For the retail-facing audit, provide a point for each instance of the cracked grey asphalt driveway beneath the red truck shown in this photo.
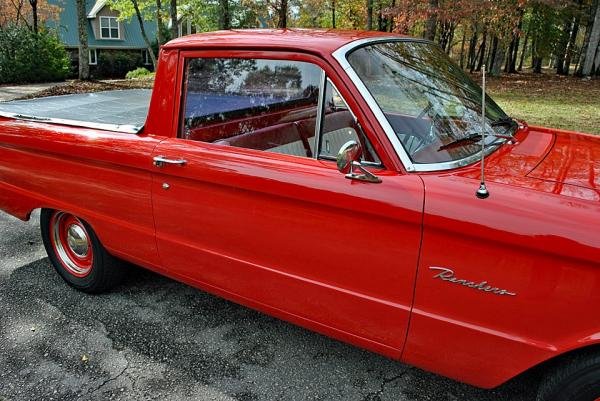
(155, 339)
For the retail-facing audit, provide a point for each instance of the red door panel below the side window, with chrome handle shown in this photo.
(292, 234)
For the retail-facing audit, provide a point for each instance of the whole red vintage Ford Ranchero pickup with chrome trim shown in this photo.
(233, 185)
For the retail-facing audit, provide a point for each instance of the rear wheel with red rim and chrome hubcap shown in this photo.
(77, 254)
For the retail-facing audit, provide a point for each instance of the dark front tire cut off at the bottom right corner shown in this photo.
(576, 379)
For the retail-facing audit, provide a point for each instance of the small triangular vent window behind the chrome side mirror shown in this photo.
(339, 125)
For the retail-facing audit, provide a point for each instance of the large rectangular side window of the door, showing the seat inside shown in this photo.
(261, 104)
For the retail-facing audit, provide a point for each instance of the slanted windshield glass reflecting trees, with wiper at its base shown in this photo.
(432, 105)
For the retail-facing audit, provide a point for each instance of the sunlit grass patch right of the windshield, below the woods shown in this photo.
(549, 100)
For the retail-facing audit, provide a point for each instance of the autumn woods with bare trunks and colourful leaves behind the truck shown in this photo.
(506, 36)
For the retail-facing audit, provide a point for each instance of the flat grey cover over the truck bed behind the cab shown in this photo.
(119, 110)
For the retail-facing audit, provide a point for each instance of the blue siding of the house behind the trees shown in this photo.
(66, 27)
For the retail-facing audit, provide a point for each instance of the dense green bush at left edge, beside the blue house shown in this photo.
(27, 57)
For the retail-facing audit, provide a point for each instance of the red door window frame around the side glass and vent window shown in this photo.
(327, 72)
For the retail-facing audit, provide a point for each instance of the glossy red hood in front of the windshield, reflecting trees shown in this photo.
(549, 160)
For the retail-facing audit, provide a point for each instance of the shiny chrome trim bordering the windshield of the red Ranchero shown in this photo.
(341, 54)
